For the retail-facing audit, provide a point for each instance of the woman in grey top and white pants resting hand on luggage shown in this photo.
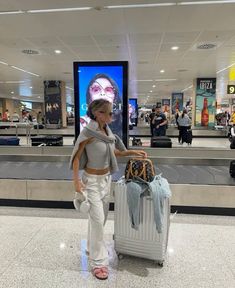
(95, 151)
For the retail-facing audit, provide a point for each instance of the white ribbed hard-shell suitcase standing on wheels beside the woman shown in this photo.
(145, 242)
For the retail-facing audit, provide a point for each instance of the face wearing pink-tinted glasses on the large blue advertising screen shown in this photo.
(102, 88)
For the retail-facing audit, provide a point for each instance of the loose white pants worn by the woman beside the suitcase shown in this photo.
(97, 190)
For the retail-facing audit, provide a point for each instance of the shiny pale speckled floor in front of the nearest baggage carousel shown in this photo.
(46, 248)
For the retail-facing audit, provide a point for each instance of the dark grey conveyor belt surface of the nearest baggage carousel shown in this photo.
(176, 174)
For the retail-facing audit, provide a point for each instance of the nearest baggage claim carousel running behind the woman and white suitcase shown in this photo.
(40, 177)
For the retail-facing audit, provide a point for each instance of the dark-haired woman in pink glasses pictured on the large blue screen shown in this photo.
(102, 86)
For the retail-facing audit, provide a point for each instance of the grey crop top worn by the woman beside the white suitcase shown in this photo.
(97, 154)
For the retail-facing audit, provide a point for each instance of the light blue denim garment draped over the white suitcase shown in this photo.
(158, 190)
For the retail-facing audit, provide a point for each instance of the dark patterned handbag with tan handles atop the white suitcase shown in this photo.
(142, 168)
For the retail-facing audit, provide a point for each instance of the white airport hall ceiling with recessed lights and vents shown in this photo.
(143, 36)
